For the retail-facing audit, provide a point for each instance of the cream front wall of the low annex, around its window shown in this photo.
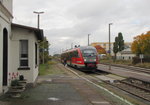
(19, 34)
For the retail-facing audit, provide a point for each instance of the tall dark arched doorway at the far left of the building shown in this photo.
(5, 56)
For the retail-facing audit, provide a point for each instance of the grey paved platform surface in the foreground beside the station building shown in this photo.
(58, 90)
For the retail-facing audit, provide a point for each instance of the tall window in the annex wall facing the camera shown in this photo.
(23, 53)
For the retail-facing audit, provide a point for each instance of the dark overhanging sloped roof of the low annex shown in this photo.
(38, 32)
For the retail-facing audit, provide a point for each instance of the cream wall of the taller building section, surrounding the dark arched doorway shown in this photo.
(5, 22)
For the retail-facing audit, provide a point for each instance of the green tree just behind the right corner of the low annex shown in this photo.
(44, 50)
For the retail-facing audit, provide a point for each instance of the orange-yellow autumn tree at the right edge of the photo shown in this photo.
(141, 44)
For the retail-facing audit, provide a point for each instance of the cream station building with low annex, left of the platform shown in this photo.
(18, 48)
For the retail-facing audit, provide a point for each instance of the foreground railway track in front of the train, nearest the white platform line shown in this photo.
(135, 87)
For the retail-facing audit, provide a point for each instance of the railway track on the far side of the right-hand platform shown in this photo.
(138, 69)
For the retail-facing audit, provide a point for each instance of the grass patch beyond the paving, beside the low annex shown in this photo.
(50, 68)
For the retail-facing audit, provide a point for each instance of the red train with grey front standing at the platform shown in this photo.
(81, 57)
